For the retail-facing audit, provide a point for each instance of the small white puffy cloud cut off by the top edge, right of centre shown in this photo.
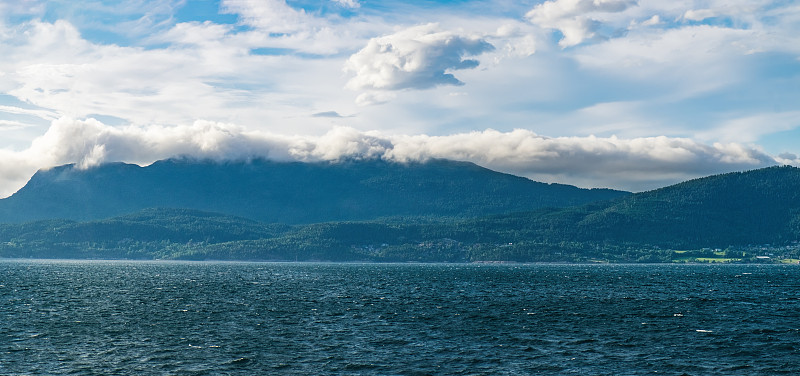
(575, 19)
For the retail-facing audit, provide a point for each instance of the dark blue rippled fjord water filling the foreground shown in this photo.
(169, 318)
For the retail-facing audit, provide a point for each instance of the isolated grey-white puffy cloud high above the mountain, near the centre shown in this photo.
(419, 57)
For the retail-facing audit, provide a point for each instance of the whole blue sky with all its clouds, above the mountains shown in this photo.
(626, 94)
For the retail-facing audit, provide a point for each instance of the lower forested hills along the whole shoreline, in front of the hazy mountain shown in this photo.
(736, 213)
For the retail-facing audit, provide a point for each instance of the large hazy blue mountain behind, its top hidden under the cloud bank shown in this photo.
(286, 192)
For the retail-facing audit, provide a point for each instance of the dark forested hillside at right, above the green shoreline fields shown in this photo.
(753, 207)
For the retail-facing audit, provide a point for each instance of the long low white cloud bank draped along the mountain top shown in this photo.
(631, 164)
